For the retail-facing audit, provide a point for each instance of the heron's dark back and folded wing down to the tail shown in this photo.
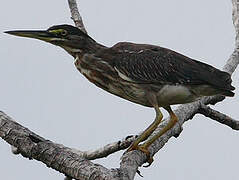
(144, 63)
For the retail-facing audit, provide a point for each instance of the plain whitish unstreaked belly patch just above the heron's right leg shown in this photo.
(175, 94)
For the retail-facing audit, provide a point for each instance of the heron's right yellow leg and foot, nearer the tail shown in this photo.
(144, 146)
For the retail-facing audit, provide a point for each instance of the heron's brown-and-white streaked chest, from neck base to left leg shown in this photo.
(106, 77)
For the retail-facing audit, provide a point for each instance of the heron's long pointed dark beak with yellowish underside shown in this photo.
(41, 35)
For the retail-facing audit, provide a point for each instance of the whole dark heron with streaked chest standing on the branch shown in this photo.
(149, 75)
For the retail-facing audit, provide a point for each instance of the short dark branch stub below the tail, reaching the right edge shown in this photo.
(219, 117)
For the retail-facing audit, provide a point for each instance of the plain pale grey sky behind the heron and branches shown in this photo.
(42, 90)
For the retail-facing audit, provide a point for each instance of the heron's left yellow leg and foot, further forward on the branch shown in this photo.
(147, 132)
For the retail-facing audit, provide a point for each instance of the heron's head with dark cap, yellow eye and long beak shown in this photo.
(72, 39)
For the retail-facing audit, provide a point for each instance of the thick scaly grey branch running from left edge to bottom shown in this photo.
(56, 156)
